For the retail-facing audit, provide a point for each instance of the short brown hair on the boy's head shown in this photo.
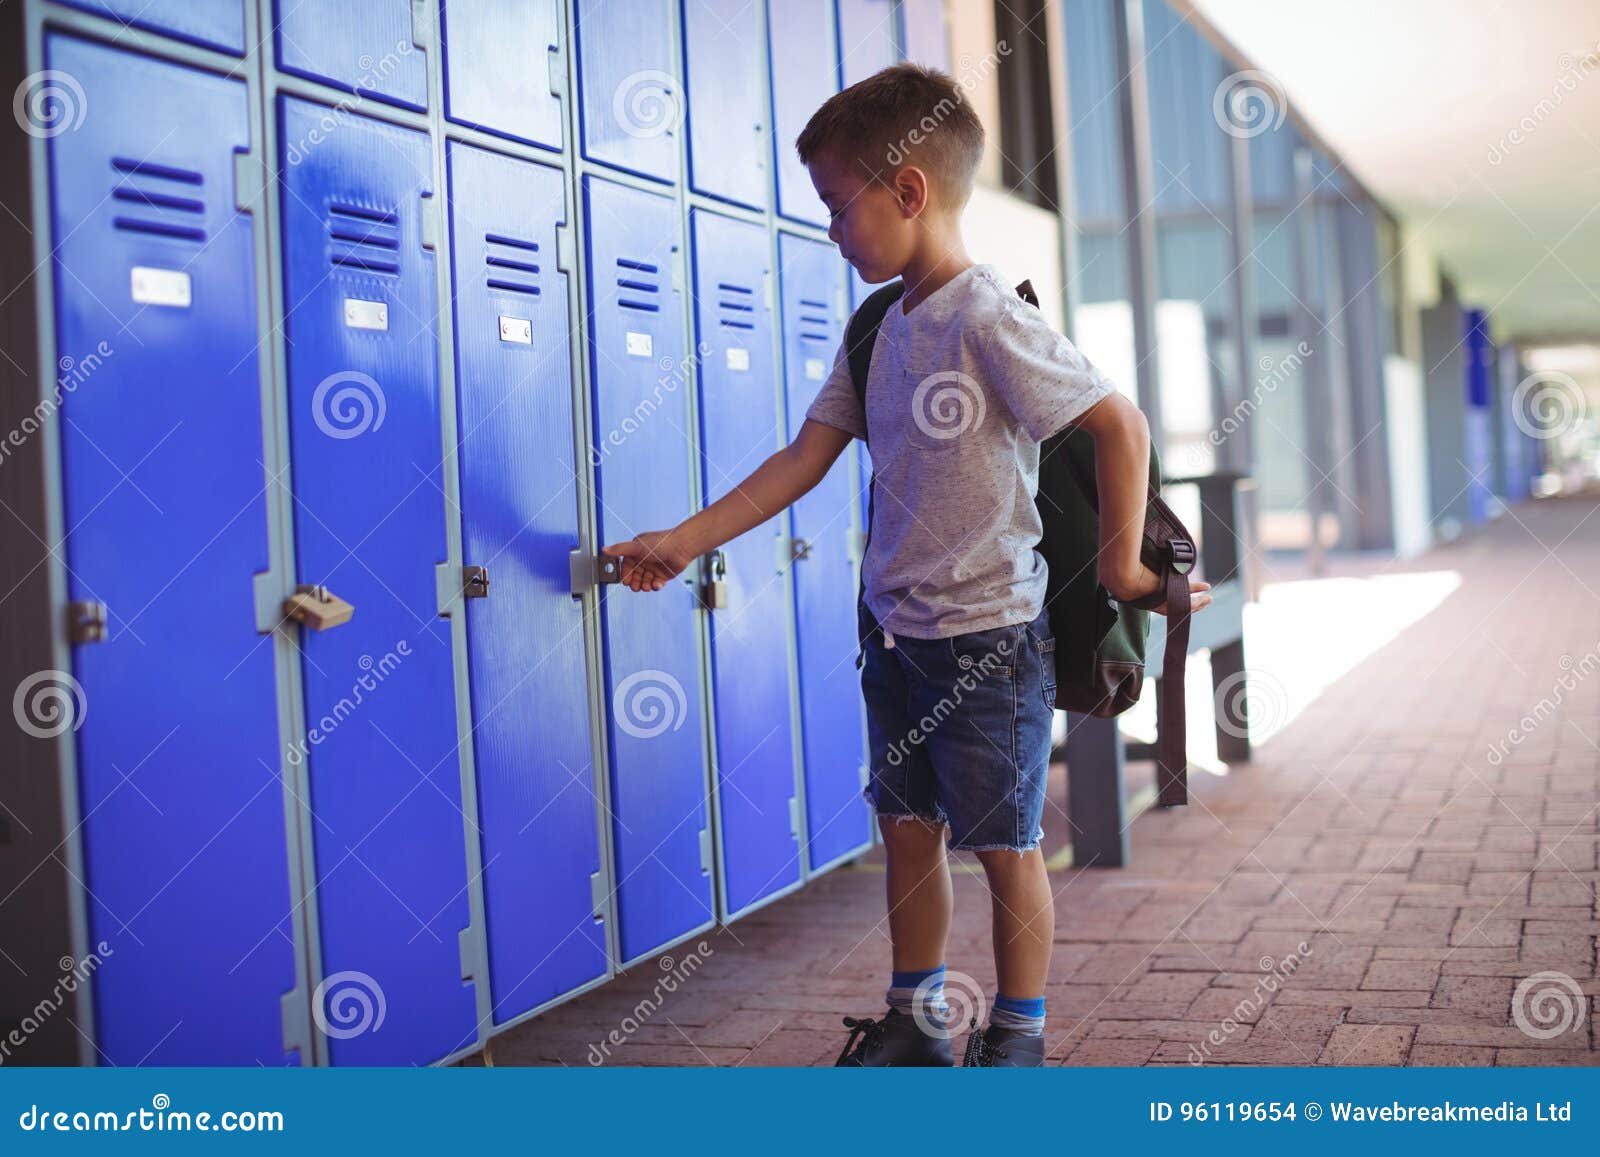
(906, 114)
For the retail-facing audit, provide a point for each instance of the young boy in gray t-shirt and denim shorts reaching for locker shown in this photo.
(967, 380)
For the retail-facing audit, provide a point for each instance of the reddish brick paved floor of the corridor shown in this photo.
(1425, 878)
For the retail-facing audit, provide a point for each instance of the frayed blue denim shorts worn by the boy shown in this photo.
(959, 731)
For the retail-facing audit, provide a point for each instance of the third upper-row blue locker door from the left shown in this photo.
(503, 68)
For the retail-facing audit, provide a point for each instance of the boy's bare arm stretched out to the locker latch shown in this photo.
(657, 558)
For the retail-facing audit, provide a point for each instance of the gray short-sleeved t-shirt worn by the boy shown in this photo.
(961, 394)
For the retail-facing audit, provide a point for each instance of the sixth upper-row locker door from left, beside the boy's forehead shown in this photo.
(806, 73)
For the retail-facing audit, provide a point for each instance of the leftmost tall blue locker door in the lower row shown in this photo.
(167, 526)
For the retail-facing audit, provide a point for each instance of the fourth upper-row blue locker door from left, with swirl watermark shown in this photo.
(631, 100)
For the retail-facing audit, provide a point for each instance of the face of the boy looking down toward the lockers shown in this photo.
(870, 222)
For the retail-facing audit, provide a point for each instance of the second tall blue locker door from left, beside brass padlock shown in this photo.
(370, 527)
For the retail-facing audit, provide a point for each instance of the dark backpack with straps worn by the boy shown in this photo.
(1100, 643)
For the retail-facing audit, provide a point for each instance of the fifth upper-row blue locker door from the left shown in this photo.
(727, 89)
